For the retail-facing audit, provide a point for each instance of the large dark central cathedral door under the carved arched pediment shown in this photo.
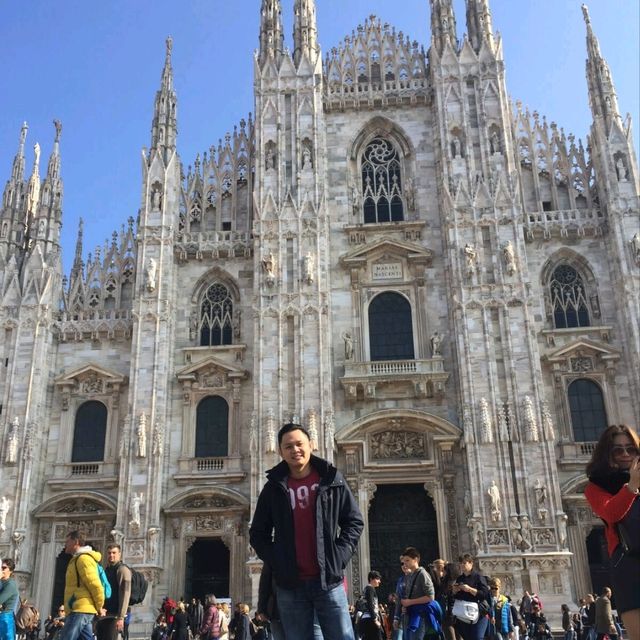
(401, 515)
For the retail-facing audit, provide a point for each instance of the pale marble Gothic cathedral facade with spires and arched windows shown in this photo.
(441, 286)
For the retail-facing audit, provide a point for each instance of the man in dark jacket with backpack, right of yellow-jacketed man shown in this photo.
(115, 607)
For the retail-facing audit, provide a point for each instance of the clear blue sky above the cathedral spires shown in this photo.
(96, 67)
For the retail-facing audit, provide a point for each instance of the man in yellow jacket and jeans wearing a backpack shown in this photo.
(83, 591)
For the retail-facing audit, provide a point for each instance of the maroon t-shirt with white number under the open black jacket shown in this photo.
(302, 494)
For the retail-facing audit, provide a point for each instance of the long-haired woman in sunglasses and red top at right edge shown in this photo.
(612, 492)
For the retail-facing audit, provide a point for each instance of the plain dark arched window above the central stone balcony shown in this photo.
(390, 328)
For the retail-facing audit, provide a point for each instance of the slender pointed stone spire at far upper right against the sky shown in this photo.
(602, 93)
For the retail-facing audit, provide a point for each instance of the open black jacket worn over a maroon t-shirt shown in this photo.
(272, 532)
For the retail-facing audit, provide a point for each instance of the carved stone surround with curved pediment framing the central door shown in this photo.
(403, 448)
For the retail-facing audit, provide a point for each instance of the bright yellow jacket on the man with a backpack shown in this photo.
(83, 595)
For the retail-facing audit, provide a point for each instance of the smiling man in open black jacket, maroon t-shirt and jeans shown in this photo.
(306, 527)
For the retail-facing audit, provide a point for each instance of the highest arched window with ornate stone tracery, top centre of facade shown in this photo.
(381, 183)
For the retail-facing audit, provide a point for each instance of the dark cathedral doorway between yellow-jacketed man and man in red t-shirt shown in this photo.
(207, 569)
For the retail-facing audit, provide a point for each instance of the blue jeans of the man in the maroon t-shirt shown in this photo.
(298, 606)
